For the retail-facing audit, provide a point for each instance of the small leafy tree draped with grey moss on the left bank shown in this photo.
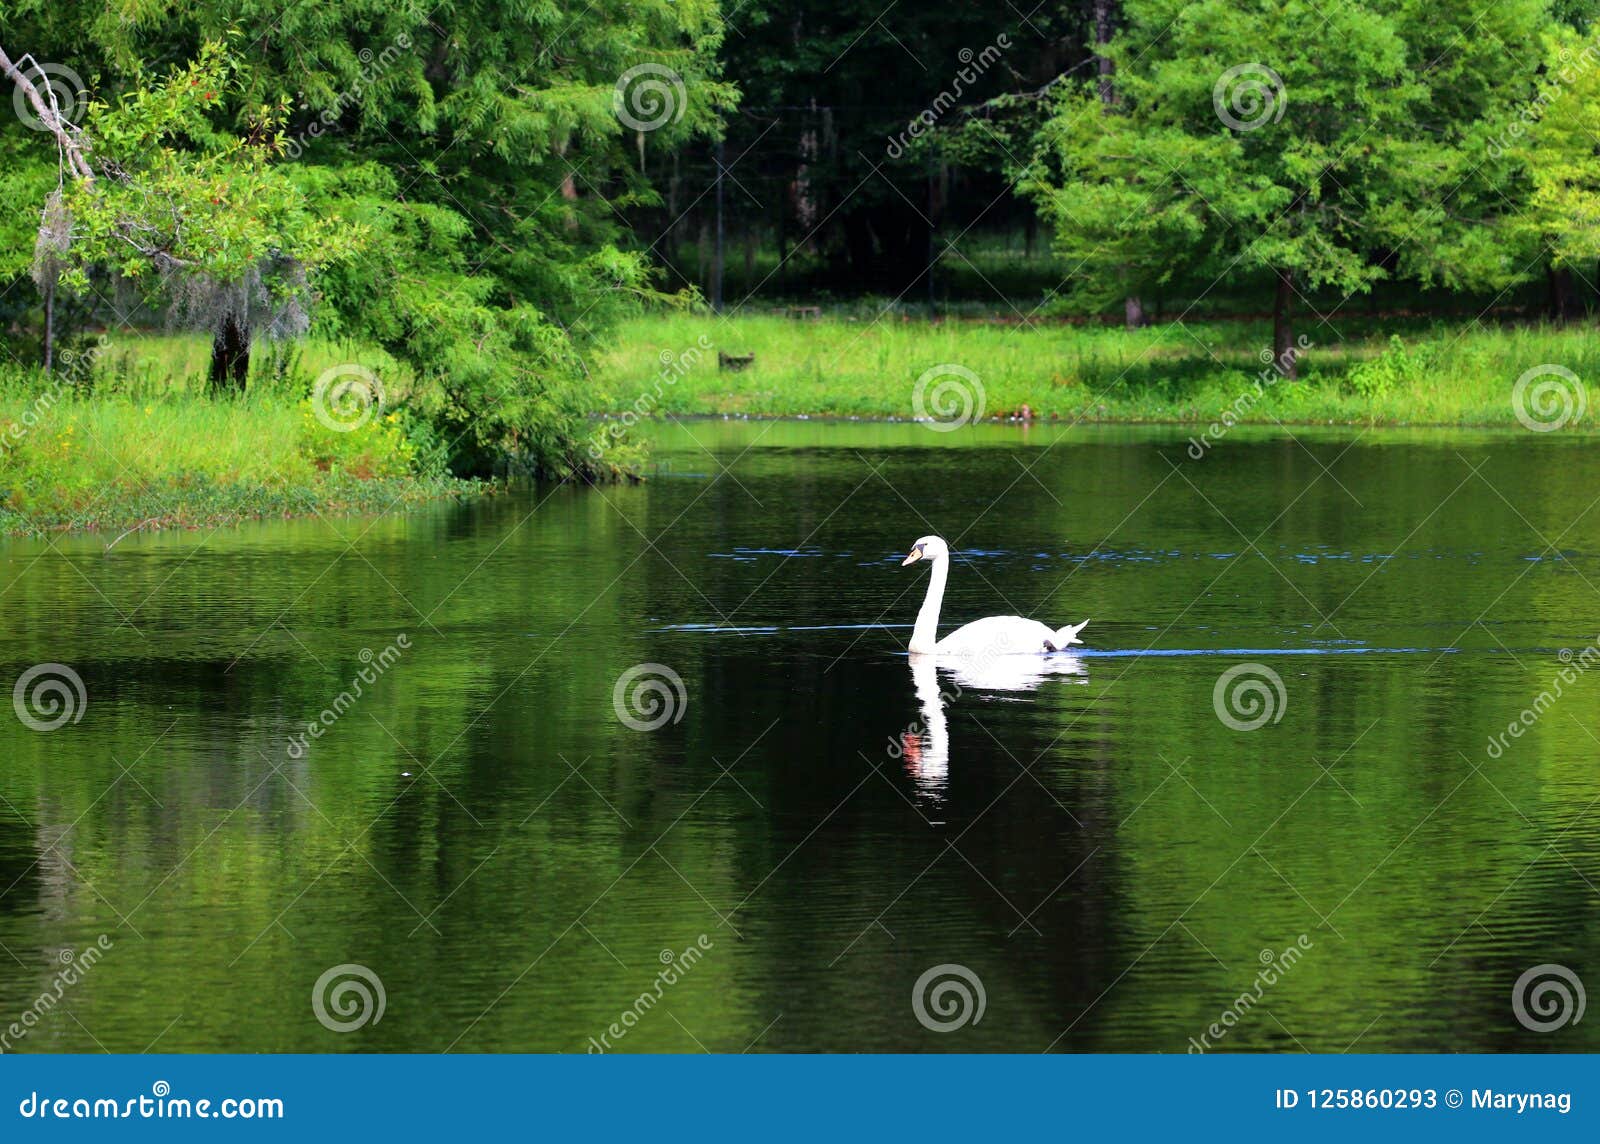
(194, 217)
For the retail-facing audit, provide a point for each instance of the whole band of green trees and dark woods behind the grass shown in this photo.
(474, 191)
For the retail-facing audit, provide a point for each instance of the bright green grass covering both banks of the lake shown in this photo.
(137, 442)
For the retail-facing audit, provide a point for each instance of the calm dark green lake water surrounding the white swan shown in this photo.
(818, 825)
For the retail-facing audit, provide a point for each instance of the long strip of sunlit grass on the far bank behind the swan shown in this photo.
(1359, 374)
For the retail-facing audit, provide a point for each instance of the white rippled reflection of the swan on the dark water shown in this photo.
(927, 748)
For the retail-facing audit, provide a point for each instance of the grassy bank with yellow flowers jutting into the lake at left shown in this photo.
(135, 442)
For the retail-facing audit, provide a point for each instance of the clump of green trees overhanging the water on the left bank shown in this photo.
(470, 154)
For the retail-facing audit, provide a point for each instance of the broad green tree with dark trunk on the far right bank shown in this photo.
(1322, 146)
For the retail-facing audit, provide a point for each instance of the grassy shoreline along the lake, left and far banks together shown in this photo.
(158, 460)
